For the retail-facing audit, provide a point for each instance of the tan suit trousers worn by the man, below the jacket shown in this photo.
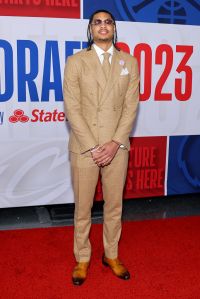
(85, 175)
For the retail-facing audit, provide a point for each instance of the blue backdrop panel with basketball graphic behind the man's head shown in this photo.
(155, 11)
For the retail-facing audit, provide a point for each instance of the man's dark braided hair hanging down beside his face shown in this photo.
(89, 35)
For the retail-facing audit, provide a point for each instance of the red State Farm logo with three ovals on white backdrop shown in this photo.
(37, 115)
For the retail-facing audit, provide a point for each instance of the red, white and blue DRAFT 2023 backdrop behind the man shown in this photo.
(37, 36)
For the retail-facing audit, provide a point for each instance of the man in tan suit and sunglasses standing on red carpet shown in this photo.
(101, 98)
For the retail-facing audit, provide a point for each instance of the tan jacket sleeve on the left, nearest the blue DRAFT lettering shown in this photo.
(72, 101)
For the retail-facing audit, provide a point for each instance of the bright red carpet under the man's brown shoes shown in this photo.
(163, 257)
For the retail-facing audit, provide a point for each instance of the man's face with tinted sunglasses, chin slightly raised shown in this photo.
(102, 27)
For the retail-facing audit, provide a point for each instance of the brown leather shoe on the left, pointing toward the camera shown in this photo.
(80, 273)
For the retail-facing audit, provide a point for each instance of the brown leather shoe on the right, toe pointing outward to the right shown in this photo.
(117, 267)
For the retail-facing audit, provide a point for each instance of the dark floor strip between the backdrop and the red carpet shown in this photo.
(134, 209)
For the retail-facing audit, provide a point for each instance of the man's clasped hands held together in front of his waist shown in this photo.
(104, 155)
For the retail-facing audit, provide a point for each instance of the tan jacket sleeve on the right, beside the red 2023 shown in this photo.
(130, 105)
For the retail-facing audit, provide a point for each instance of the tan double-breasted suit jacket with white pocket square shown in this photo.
(100, 110)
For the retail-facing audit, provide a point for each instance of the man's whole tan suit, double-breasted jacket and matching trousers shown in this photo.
(99, 111)
